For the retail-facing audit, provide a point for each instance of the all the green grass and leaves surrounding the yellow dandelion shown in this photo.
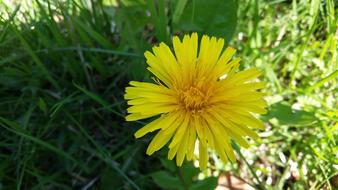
(64, 65)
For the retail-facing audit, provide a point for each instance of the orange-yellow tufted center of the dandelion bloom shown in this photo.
(193, 99)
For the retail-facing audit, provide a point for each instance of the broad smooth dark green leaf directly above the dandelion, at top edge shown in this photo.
(216, 18)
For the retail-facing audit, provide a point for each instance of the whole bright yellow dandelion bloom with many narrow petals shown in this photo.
(198, 95)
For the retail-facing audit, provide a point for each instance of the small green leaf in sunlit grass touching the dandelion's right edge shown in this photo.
(285, 115)
